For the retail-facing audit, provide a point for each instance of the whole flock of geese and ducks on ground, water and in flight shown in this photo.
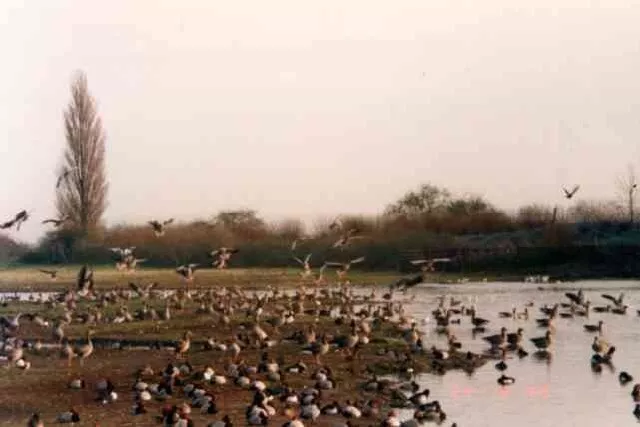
(267, 316)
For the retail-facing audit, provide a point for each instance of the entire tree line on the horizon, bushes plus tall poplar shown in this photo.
(427, 220)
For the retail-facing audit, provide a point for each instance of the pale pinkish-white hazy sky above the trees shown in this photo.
(312, 108)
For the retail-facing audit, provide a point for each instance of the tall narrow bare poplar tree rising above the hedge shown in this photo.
(82, 193)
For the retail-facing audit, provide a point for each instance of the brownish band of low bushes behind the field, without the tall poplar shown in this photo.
(586, 239)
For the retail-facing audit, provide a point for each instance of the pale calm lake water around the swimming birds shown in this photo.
(564, 392)
